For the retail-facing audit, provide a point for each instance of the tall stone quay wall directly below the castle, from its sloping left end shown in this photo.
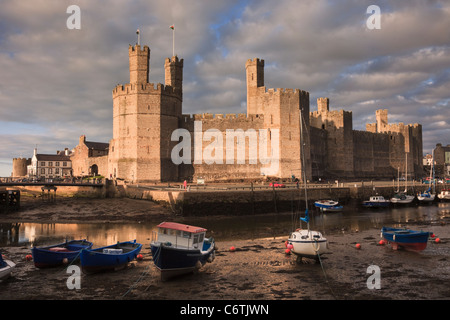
(244, 201)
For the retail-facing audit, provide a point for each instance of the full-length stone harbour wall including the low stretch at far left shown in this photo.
(229, 200)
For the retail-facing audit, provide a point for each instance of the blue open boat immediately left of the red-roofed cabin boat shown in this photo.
(109, 258)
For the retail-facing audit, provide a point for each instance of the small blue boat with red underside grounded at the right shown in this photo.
(405, 238)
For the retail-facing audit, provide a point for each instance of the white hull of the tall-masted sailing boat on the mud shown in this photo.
(307, 243)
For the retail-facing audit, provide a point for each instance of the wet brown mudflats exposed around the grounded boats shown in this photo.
(258, 269)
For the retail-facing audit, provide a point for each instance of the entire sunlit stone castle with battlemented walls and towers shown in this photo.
(149, 130)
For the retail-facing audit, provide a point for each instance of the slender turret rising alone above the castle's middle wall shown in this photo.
(255, 83)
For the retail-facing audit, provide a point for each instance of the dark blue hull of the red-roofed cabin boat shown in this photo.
(173, 261)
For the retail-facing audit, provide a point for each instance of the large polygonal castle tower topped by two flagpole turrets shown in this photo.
(144, 117)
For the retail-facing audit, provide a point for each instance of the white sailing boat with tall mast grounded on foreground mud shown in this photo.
(306, 242)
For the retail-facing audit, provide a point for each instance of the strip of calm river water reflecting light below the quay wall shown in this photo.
(353, 218)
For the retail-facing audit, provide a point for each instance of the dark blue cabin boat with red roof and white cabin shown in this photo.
(179, 249)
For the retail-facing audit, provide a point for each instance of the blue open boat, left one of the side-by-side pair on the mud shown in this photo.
(59, 254)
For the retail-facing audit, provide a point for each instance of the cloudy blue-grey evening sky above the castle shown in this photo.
(56, 82)
